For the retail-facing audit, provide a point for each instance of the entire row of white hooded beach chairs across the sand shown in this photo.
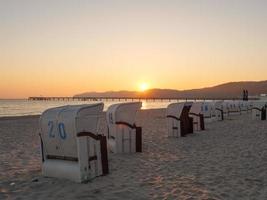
(73, 148)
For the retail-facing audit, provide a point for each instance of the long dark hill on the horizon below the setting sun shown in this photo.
(226, 90)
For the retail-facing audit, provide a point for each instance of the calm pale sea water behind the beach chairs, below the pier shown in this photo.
(26, 107)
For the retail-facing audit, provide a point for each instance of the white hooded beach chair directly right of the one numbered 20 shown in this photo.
(123, 134)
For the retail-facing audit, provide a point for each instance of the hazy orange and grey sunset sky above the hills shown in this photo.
(66, 47)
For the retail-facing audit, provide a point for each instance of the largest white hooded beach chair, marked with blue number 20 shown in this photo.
(71, 145)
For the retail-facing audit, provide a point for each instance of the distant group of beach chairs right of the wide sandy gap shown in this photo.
(187, 117)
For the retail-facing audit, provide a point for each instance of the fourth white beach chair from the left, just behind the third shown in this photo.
(198, 118)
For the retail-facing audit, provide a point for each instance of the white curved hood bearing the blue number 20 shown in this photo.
(63, 123)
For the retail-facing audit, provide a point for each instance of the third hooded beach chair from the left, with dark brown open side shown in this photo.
(178, 122)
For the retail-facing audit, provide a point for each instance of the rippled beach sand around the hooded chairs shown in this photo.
(226, 161)
